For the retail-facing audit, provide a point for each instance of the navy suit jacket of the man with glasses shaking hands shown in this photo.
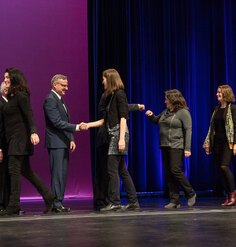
(58, 129)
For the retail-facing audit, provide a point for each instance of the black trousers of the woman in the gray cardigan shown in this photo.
(172, 159)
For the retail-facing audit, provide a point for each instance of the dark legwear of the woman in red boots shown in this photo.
(222, 157)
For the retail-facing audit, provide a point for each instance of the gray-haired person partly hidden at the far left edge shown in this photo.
(4, 176)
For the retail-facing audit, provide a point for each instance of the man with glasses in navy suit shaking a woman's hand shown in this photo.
(59, 138)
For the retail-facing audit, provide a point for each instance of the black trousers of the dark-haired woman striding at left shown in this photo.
(18, 165)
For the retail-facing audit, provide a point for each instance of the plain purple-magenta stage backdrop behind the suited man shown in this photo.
(44, 38)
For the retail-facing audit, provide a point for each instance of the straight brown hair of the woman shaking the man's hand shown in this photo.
(114, 81)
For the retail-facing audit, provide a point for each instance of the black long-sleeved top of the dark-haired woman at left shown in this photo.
(19, 124)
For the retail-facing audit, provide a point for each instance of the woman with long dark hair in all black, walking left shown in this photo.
(21, 135)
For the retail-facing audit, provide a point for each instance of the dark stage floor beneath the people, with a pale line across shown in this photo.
(206, 224)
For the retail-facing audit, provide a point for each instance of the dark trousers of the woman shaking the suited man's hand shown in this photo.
(116, 168)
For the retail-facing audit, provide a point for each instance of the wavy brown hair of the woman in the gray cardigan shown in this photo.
(176, 99)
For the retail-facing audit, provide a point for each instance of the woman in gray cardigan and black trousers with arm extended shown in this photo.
(175, 141)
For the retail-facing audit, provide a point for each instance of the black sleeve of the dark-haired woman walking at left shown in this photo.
(26, 110)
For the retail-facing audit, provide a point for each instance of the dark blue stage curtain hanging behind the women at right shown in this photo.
(157, 45)
